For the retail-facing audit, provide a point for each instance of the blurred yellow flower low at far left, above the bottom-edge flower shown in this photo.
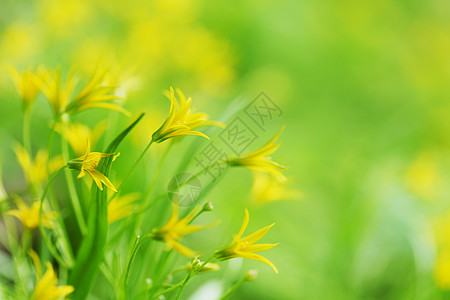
(29, 216)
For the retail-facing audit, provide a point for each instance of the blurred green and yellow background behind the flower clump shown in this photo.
(365, 91)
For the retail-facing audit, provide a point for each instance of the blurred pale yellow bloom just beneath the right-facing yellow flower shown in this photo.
(265, 189)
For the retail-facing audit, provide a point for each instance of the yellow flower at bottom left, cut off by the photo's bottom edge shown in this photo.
(47, 286)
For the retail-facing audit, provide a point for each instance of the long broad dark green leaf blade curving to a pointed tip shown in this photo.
(92, 248)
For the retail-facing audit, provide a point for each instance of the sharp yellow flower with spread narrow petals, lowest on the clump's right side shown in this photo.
(245, 248)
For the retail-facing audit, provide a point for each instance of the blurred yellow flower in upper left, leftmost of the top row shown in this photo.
(26, 85)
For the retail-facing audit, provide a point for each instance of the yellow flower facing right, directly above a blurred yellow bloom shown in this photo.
(260, 160)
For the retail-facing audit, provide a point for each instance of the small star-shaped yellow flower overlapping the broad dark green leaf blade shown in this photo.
(87, 163)
